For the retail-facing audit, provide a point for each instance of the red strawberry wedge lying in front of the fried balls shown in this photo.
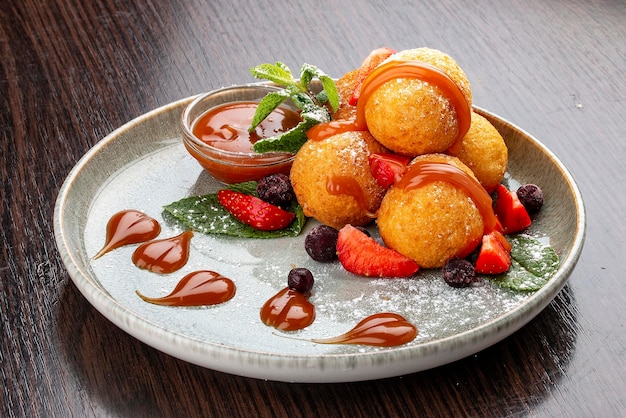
(362, 255)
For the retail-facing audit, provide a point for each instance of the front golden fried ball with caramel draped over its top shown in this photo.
(433, 222)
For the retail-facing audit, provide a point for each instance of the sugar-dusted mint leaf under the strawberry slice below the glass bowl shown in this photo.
(206, 215)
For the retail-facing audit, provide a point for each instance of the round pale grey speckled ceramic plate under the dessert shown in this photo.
(143, 165)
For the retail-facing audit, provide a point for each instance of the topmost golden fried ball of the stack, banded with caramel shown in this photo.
(413, 117)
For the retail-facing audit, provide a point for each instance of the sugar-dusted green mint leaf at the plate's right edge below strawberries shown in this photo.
(533, 264)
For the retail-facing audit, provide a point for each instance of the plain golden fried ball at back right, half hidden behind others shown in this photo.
(484, 151)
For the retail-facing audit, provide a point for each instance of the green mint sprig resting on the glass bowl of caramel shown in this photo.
(312, 105)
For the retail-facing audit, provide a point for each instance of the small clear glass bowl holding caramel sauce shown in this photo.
(230, 166)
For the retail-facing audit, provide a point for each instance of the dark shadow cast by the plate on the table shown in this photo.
(107, 357)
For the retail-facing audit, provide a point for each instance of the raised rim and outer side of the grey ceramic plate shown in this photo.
(333, 367)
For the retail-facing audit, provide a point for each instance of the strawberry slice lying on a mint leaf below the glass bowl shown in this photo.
(253, 211)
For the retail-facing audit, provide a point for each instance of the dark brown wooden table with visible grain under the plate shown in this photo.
(72, 71)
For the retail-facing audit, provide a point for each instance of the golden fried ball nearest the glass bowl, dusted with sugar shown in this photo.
(339, 159)
